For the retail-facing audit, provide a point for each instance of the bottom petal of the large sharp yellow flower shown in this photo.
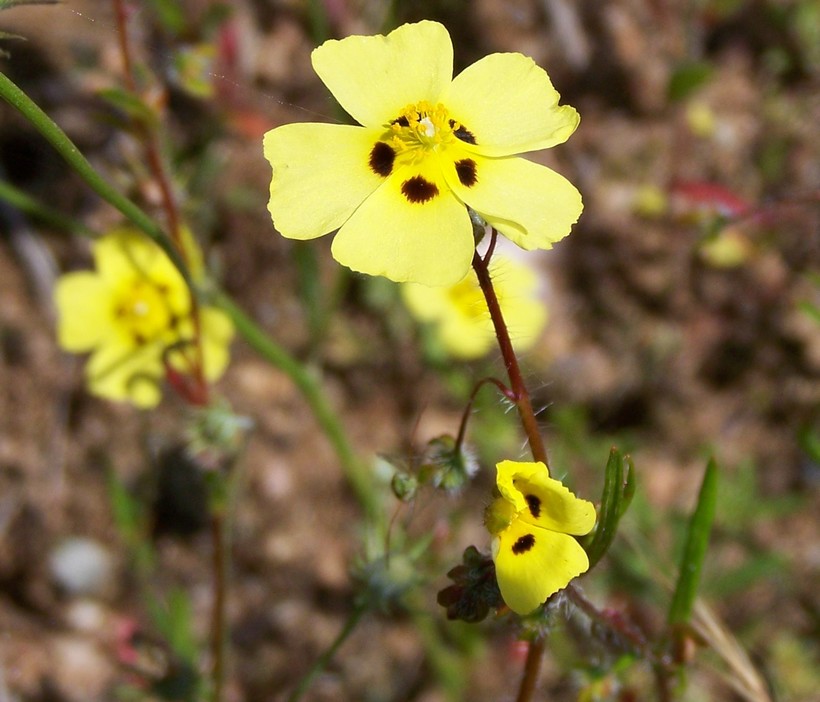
(429, 242)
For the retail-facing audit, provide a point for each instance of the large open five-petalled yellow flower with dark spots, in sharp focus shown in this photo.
(398, 187)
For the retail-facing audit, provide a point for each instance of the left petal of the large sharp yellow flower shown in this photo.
(320, 176)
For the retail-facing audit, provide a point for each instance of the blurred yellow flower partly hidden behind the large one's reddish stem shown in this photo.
(460, 316)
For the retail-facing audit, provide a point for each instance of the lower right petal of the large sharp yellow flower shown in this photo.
(530, 204)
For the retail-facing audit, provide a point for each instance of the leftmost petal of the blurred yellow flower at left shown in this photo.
(84, 308)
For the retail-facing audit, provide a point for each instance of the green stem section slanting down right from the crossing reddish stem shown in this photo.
(310, 387)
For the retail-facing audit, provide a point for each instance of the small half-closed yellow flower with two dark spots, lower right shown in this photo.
(532, 522)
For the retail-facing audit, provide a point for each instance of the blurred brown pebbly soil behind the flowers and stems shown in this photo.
(699, 126)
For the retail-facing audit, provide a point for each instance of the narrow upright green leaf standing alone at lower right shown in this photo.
(697, 541)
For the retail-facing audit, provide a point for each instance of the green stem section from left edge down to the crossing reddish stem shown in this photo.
(13, 95)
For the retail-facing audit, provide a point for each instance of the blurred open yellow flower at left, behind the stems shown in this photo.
(134, 314)
